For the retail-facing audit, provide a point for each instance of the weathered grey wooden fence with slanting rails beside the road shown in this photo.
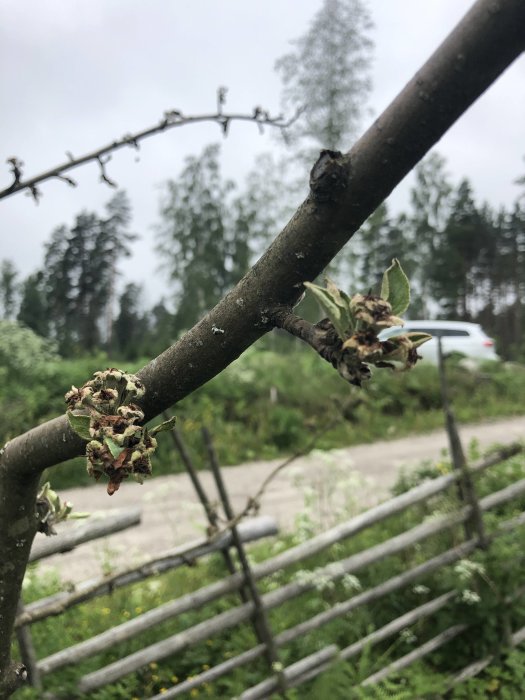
(254, 606)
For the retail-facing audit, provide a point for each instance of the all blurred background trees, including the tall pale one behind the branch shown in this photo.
(465, 257)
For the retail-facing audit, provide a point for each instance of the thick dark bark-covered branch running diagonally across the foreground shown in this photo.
(345, 190)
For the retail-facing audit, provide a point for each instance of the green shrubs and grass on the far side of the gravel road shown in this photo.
(269, 404)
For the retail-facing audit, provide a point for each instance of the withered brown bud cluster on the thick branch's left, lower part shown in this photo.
(102, 411)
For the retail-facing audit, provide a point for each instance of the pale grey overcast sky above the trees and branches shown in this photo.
(77, 74)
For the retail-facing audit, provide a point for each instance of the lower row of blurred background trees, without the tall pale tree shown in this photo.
(466, 259)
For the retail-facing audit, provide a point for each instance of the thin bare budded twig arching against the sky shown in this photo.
(171, 119)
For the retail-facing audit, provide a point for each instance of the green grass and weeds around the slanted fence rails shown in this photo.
(502, 568)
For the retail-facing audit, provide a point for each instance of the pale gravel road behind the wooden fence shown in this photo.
(354, 478)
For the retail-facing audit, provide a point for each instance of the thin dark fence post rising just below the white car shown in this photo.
(474, 526)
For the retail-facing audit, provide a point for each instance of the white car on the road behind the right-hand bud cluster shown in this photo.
(468, 339)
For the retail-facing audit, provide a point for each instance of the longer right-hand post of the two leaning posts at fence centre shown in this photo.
(260, 618)
